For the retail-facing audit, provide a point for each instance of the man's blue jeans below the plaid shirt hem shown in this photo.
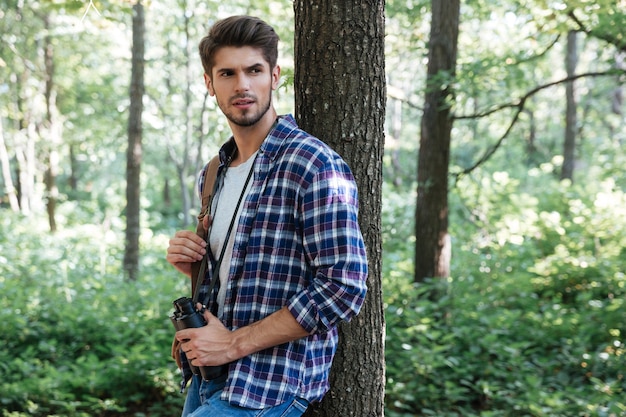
(203, 400)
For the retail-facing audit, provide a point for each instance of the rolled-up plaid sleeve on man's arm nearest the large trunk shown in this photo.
(335, 251)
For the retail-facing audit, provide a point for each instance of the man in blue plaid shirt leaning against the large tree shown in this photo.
(294, 265)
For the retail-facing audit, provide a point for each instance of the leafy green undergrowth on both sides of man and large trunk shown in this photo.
(523, 327)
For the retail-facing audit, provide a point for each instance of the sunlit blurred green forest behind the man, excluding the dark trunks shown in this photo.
(531, 320)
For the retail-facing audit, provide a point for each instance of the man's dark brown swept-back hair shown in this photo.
(239, 31)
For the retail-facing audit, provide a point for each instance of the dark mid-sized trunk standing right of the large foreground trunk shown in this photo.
(432, 246)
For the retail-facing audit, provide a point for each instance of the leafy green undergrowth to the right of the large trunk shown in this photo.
(532, 322)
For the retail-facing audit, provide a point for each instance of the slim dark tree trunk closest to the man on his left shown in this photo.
(134, 152)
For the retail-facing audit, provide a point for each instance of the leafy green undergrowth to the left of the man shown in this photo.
(77, 340)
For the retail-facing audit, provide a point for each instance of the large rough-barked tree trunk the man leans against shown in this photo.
(340, 97)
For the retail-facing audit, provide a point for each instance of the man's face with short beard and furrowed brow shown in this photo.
(242, 82)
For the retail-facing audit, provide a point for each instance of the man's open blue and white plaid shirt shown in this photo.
(297, 244)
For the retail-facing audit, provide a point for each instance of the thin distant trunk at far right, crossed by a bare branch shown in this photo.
(569, 144)
